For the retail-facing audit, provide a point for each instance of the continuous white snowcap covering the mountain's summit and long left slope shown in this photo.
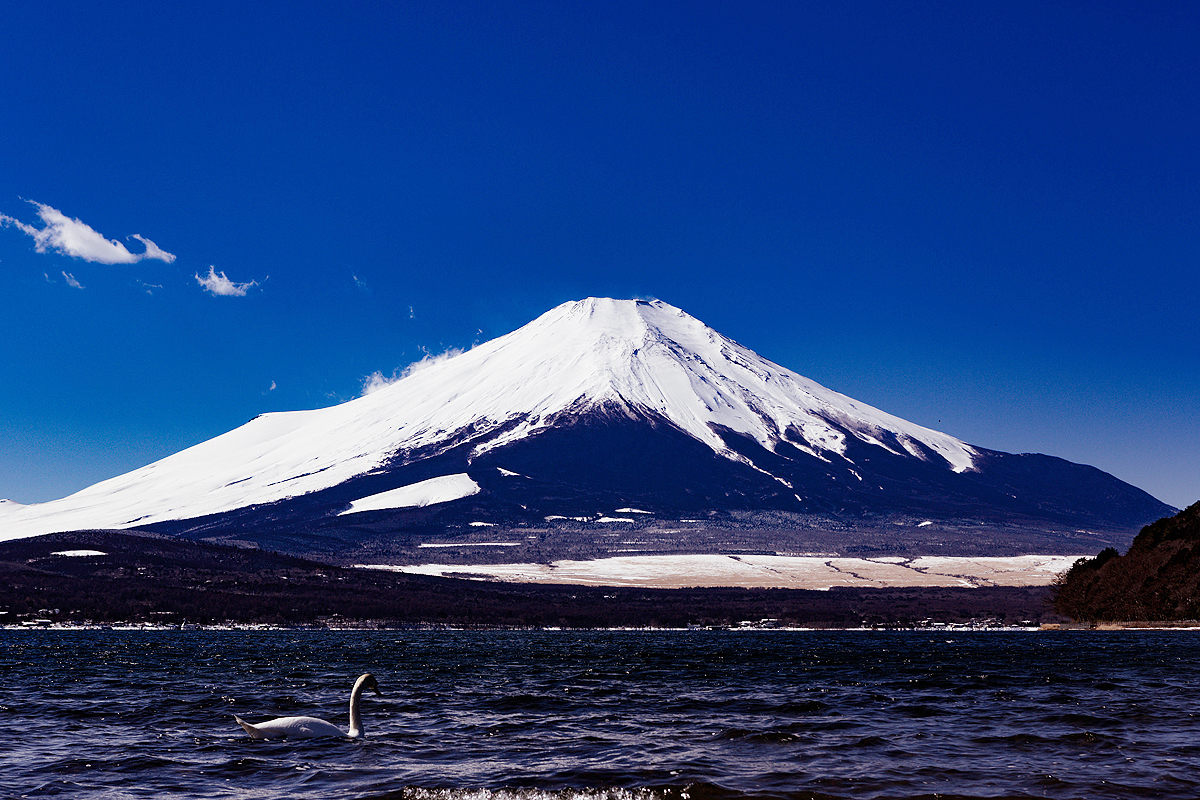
(639, 356)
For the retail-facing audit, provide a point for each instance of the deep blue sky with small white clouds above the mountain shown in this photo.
(982, 218)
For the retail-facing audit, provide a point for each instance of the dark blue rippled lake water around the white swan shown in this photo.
(625, 715)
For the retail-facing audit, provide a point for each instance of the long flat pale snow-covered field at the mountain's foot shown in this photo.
(769, 572)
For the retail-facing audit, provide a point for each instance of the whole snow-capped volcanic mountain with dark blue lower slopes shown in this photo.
(597, 411)
